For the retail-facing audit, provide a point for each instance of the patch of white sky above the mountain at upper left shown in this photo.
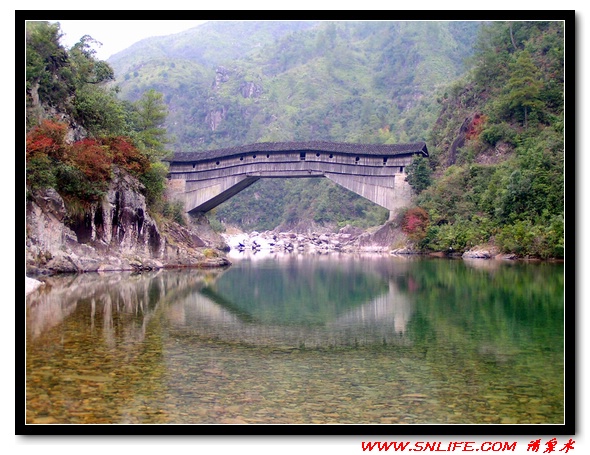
(118, 35)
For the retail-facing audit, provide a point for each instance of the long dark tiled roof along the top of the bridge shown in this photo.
(310, 146)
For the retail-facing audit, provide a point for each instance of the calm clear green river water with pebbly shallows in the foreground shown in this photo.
(301, 339)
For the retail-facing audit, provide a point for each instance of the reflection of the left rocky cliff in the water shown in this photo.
(119, 305)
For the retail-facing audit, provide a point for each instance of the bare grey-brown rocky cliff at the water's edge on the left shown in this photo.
(116, 233)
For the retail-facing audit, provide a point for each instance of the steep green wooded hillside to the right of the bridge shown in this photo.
(503, 183)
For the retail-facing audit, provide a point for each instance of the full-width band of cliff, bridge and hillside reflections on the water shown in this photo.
(301, 300)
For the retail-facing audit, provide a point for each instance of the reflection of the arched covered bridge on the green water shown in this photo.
(305, 302)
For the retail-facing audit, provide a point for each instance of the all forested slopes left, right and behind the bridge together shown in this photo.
(487, 98)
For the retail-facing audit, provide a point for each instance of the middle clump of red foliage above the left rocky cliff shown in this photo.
(92, 158)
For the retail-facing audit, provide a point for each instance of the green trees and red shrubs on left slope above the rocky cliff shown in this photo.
(77, 127)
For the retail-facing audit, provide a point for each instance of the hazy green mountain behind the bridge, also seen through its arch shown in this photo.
(231, 83)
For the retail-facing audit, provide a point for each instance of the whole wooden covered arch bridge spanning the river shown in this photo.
(203, 180)
